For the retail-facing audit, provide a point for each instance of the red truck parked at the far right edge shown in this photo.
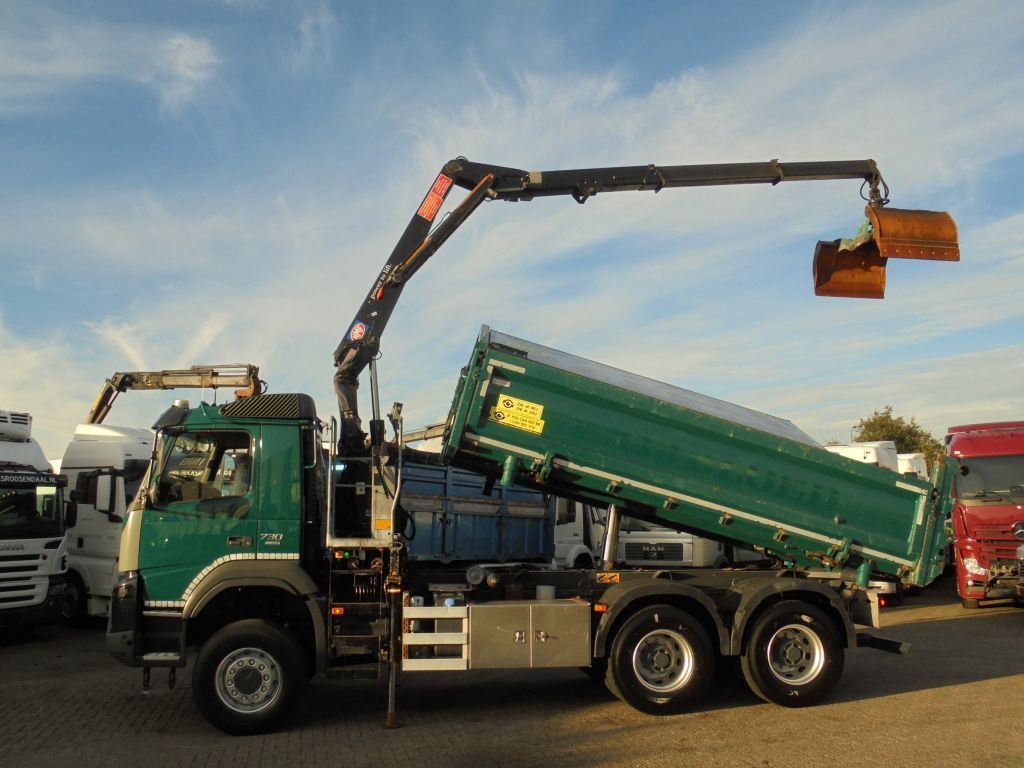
(990, 492)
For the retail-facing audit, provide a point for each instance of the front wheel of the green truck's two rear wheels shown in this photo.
(662, 661)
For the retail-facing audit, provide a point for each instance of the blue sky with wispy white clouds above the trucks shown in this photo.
(222, 182)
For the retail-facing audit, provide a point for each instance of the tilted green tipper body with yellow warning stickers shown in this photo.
(534, 415)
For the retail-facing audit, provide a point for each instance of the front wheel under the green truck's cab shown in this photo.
(248, 677)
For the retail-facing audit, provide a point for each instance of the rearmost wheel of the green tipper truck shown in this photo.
(794, 657)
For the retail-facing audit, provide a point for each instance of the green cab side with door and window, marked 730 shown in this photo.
(223, 490)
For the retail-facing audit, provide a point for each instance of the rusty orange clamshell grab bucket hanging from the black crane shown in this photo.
(858, 269)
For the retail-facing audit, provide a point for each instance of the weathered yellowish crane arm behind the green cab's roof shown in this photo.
(244, 376)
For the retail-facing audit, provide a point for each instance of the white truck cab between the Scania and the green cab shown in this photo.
(105, 466)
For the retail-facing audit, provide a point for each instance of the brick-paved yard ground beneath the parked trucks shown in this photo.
(957, 700)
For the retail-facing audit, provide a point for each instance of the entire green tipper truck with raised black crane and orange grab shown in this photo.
(280, 561)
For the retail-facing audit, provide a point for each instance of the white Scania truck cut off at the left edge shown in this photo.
(33, 548)
